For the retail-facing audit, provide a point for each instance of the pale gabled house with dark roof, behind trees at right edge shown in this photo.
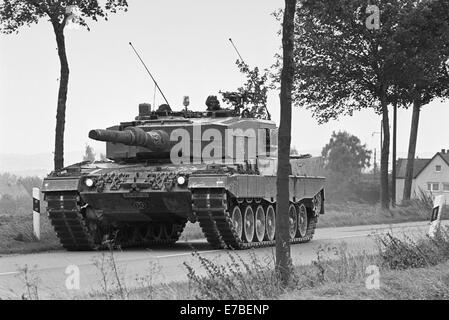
(430, 176)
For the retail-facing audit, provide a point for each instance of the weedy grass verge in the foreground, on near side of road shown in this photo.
(406, 269)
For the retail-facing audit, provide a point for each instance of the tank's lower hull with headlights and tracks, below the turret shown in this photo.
(134, 201)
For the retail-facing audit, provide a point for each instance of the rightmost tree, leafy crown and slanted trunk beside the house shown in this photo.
(423, 38)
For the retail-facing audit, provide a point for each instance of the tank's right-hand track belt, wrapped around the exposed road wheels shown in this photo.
(211, 209)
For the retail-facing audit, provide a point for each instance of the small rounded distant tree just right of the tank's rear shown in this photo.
(345, 154)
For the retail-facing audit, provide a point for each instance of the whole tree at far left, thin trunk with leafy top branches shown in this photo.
(17, 13)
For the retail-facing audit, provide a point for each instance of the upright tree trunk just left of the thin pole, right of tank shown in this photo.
(384, 190)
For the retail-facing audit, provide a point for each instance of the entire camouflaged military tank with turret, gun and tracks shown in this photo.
(165, 168)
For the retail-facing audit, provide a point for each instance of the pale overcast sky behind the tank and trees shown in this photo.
(185, 45)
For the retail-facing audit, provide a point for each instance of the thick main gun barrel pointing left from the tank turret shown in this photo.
(155, 140)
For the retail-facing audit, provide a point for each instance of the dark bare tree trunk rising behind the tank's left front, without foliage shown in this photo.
(62, 97)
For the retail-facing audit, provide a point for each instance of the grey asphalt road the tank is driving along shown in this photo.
(166, 264)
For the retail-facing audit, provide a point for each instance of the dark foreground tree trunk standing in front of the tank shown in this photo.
(283, 258)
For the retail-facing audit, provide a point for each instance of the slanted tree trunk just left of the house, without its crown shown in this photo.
(411, 149)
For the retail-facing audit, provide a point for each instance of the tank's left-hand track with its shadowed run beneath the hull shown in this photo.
(65, 213)
